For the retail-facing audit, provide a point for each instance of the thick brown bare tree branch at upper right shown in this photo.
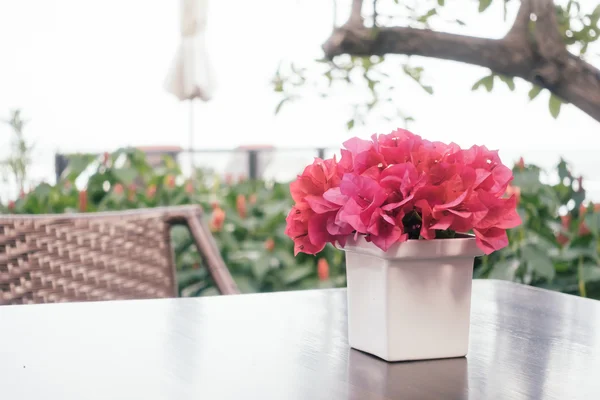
(537, 55)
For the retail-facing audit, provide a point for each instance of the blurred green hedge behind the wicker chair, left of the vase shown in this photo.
(251, 239)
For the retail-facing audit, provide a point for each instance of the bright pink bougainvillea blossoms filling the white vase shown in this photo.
(400, 186)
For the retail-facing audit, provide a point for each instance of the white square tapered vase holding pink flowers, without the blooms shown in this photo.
(412, 302)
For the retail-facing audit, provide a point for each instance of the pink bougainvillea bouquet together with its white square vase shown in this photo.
(403, 207)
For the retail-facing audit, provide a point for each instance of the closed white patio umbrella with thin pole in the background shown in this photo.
(191, 76)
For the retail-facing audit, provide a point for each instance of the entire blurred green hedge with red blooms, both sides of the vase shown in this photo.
(557, 246)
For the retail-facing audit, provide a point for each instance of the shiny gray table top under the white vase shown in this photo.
(525, 343)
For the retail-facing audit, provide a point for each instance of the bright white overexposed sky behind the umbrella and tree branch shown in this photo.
(89, 75)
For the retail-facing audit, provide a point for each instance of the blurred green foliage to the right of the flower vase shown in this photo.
(547, 250)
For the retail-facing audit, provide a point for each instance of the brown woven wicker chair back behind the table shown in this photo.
(99, 256)
